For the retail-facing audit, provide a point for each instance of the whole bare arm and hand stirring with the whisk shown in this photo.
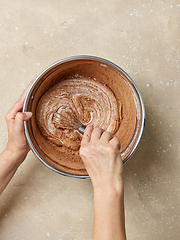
(100, 153)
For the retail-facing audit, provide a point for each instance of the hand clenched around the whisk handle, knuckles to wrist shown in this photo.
(101, 156)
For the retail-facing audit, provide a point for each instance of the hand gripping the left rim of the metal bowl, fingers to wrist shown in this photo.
(17, 143)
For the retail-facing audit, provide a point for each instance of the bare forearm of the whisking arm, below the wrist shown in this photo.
(109, 221)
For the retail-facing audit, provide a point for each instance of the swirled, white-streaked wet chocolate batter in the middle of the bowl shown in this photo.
(92, 102)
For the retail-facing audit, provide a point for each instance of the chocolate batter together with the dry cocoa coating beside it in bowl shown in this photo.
(107, 105)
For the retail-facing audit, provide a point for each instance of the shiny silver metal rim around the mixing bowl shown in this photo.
(86, 57)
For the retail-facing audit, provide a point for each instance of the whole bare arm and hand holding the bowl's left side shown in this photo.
(17, 147)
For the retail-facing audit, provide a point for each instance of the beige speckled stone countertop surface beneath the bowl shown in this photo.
(143, 38)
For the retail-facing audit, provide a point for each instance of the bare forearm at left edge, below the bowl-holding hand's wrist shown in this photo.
(9, 163)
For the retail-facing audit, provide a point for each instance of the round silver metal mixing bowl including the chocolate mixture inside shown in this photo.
(97, 90)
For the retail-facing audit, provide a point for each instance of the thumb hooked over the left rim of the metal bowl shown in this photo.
(19, 121)
